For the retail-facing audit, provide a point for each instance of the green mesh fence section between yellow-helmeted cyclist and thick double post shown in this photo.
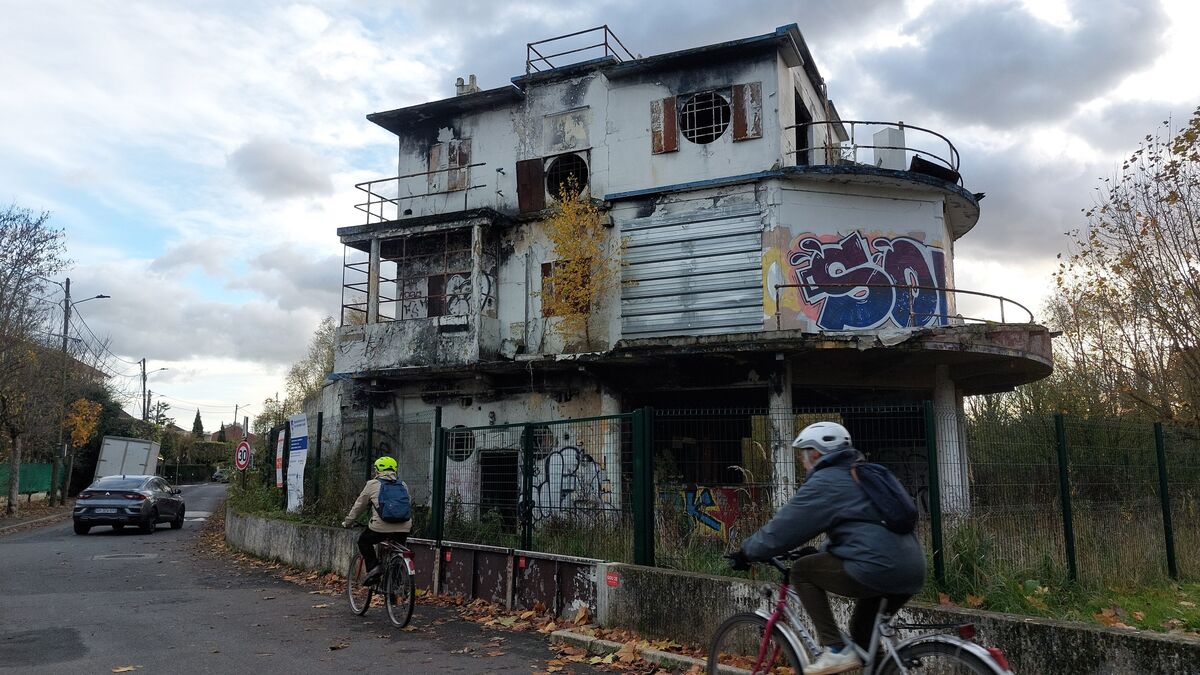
(565, 487)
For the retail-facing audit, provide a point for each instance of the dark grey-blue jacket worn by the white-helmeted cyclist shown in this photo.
(831, 503)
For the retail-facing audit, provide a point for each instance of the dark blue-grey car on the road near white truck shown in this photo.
(142, 501)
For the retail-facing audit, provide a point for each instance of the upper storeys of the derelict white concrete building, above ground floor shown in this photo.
(771, 254)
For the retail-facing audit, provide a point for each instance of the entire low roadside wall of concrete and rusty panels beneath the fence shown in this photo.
(688, 607)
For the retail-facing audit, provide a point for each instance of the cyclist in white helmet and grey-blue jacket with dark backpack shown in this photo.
(871, 553)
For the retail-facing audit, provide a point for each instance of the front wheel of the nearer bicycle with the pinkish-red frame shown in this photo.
(740, 647)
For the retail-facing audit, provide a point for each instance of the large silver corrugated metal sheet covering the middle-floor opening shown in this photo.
(698, 272)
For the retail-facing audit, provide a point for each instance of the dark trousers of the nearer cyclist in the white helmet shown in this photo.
(813, 576)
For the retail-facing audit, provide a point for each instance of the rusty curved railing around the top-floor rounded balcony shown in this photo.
(928, 146)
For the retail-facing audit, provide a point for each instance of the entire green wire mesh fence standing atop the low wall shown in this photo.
(1001, 497)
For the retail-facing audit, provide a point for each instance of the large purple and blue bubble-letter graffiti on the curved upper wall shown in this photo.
(855, 282)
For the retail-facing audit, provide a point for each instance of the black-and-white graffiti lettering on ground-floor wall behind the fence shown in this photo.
(572, 482)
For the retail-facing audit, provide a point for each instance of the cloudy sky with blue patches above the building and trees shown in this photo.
(201, 156)
